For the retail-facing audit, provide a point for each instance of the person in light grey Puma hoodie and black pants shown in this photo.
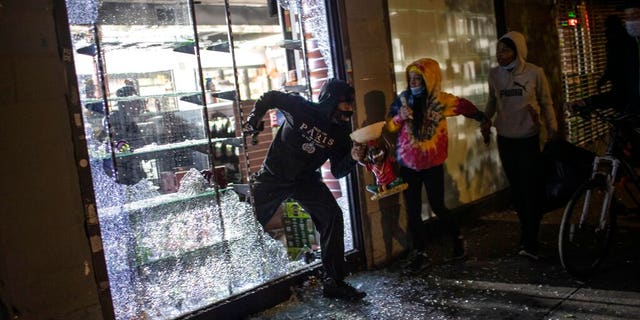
(520, 100)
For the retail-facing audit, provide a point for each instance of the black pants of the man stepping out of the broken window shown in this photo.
(315, 198)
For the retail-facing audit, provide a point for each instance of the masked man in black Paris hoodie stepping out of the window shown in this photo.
(311, 134)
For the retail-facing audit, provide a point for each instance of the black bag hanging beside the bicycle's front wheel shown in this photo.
(566, 167)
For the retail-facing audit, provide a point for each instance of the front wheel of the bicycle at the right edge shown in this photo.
(584, 245)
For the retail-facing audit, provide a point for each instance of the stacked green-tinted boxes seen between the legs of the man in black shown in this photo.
(299, 229)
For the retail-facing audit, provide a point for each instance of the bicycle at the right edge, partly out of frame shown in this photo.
(590, 217)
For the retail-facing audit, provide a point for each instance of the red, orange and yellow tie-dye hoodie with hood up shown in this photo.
(423, 141)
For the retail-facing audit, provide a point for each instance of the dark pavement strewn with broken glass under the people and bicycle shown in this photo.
(493, 283)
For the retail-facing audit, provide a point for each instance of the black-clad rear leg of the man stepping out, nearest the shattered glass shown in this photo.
(268, 193)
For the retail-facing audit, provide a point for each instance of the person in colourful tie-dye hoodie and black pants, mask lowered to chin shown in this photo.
(418, 116)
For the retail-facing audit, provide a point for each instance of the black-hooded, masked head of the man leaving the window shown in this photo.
(332, 93)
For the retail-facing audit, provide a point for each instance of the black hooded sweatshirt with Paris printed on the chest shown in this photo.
(309, 135)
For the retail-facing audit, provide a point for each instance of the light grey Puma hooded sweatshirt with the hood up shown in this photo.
(511, 92)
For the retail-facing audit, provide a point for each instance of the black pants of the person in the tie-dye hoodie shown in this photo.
(433, 180)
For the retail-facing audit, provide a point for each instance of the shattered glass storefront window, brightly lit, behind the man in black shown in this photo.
(162, 98)
